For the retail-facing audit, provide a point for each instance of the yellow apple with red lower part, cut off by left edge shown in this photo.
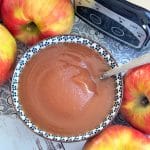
(7, 53)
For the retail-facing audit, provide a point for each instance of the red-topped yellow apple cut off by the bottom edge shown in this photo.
(118, 137)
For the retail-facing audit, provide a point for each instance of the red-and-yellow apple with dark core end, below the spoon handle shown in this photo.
(136, 101)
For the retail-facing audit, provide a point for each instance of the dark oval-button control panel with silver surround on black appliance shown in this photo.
(111, 23)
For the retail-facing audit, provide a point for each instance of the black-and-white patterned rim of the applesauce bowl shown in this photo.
(69, 39)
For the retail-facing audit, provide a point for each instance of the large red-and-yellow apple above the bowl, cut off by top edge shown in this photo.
(33, 20)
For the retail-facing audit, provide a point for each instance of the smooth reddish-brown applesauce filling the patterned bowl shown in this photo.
(60, 90)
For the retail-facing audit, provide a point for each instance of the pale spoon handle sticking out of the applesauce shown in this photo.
(141, 60)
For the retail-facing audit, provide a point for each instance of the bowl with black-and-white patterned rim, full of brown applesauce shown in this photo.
(57, 91)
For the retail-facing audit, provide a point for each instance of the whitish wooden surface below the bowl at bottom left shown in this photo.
(14, 135)
